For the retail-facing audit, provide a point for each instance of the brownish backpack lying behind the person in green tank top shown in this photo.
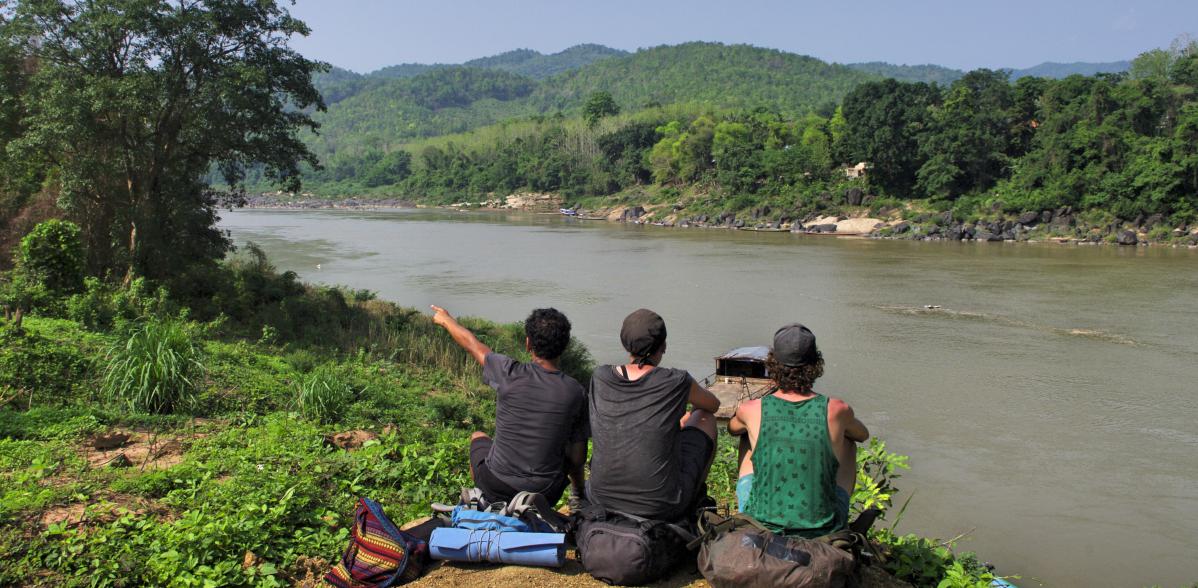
(739, 551)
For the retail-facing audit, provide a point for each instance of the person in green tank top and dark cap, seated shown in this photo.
(798, 451)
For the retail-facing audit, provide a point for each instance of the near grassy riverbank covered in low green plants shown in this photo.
(282, 404)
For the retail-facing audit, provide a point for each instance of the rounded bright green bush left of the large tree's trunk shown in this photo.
(53, 254)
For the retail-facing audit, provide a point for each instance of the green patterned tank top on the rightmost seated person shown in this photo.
(795, 469)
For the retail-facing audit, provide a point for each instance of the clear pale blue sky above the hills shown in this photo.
(366, 35)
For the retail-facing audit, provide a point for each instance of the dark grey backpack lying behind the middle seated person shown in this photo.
(622, 549)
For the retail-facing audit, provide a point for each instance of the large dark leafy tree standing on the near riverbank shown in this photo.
(134, 102)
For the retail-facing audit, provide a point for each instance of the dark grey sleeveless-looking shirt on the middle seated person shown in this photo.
(634, 468)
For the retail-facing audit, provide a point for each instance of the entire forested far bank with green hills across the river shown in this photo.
(737, 130)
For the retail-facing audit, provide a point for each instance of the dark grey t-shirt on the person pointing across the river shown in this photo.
(537, 413)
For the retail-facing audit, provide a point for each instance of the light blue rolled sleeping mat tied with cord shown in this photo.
(497, 547)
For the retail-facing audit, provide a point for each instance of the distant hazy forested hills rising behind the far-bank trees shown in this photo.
(374, 113)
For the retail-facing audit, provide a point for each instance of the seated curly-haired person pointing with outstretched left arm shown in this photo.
(540, 420)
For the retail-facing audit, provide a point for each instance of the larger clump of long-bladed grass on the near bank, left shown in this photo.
(158, 369)
